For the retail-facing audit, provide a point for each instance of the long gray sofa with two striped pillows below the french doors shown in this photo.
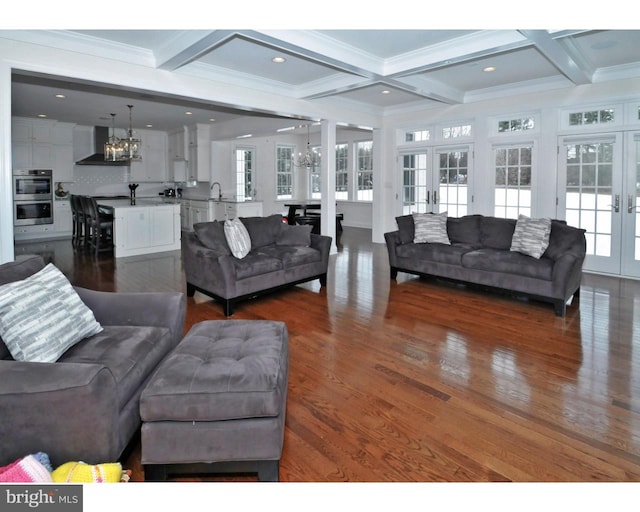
(479, 254)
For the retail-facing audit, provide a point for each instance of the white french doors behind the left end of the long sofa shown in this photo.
(436, 180)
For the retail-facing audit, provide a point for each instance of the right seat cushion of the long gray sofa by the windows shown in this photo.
(499, 260)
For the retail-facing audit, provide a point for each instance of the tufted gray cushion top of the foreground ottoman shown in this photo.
(221, 370)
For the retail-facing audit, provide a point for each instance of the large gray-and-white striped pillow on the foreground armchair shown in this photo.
(42, 316)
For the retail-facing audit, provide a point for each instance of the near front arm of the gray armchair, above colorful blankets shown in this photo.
(68, 410)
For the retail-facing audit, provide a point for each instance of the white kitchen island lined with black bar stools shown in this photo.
(149, 226)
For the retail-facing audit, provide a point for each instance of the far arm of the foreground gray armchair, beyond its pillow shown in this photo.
(157, 309)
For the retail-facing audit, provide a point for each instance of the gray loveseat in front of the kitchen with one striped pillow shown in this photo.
(280, 256)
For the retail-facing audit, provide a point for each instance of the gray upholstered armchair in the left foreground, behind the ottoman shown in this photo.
(85, 406)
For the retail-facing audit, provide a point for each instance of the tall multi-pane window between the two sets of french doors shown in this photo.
(513, 181)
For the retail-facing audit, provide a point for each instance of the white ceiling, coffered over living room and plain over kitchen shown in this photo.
(379, 71)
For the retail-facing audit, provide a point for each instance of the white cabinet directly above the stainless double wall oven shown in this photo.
(32, 143)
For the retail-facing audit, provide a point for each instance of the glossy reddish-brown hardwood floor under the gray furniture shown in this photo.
(422, 381)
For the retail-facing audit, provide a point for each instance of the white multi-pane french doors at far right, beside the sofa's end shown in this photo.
(599, 184)
